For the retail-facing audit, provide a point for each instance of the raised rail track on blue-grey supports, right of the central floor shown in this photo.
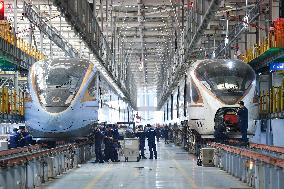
(259, 165)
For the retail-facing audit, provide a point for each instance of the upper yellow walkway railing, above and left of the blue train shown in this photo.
(9, 37)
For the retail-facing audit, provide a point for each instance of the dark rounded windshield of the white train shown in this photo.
(227, 79)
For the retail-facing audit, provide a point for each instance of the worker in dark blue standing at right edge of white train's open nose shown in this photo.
(243, 121)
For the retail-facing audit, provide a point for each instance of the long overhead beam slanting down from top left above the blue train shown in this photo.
(79, 14)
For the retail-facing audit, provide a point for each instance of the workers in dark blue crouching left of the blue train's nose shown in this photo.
(19, 138)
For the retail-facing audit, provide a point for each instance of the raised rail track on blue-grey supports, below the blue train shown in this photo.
(33, 165)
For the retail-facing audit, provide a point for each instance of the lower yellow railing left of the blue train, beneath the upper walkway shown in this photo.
(11, 102)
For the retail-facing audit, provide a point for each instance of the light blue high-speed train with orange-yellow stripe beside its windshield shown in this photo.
(65, 98)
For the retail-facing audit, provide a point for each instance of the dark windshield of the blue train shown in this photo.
(57, 82)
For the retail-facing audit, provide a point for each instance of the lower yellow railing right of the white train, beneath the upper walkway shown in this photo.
(272, 101)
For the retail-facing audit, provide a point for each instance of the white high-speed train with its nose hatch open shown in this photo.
(210, 94)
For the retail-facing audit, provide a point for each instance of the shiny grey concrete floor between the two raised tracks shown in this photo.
(173, 169)
